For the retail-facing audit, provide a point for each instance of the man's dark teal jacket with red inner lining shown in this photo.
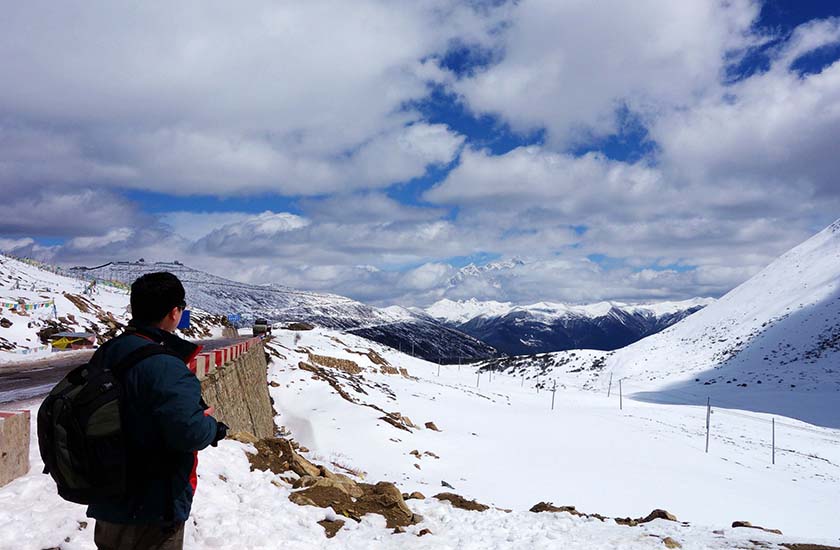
(165, 425)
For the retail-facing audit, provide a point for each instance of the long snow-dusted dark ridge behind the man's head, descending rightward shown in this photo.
(396, 327)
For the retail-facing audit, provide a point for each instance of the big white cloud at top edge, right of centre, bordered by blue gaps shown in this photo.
(567, 66)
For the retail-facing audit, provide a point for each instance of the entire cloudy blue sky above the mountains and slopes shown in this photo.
(401, 152)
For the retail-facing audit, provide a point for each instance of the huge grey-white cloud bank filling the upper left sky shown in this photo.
(295, 97)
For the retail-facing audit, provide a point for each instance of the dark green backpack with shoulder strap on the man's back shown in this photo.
(80, 428)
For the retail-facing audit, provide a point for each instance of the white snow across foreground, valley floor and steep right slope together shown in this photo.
(500, 442)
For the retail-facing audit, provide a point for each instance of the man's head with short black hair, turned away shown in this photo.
(157, 299)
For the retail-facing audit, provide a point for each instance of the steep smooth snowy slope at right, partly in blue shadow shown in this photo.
(769, 345)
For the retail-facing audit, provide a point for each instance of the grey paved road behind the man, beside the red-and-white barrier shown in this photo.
(35, 378)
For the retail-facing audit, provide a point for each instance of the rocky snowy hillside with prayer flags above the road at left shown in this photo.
(102, 310)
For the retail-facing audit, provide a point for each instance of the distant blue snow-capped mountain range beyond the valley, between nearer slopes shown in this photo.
(546, 327)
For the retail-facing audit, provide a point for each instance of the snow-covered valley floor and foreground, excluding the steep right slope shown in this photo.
(499, 443)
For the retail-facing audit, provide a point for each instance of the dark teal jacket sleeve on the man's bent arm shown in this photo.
(176, 407)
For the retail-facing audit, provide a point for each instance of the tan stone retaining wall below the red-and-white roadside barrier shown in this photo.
(238, 390)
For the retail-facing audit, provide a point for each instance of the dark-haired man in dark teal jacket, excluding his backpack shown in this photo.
(166, 423)
